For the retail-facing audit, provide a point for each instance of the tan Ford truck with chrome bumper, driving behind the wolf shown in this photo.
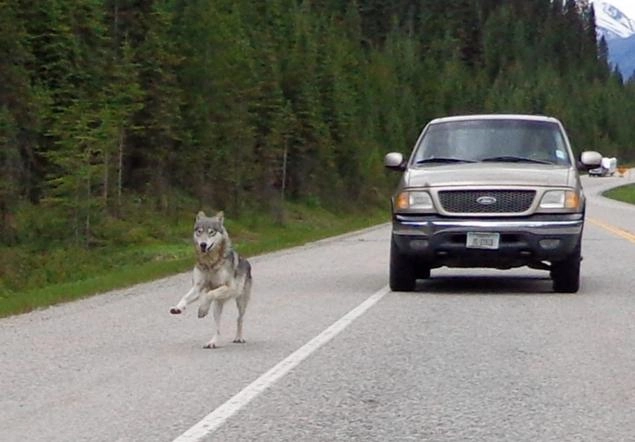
(497, 191)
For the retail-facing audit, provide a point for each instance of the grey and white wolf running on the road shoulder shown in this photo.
(220, 274)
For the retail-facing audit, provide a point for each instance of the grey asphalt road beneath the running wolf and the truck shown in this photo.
(331, 354)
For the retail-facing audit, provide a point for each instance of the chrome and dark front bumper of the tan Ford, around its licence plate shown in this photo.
(441, 241)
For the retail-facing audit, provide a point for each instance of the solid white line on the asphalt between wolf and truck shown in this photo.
(216, 418)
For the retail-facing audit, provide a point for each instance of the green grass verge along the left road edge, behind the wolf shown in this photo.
(117, 267)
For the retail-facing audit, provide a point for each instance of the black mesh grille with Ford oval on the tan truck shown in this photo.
(486, 201)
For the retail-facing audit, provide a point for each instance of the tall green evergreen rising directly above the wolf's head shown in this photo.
(218, 85)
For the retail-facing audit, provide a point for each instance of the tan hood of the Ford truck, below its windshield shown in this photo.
(491, 174)
